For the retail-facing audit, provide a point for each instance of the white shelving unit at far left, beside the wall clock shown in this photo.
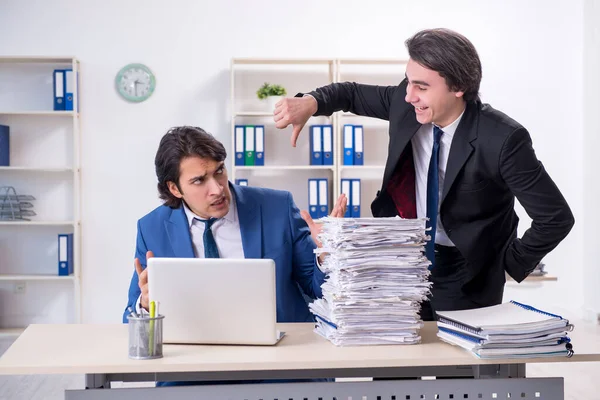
(45, 163)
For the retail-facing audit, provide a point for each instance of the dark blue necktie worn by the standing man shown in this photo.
(433, 194)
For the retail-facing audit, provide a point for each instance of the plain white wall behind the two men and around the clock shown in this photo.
(532, 54)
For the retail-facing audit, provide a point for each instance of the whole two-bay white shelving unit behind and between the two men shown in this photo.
(302, 75)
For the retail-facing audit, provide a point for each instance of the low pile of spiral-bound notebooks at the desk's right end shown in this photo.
(508, 330)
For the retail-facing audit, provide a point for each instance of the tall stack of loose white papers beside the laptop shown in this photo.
(377, 277)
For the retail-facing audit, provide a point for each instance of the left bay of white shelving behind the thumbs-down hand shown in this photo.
(281, 159)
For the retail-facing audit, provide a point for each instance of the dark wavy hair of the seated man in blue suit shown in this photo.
(178, 143)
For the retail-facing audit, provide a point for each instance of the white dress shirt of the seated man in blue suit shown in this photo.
(226, 232)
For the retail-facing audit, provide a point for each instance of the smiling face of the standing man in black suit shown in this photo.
(428, 93)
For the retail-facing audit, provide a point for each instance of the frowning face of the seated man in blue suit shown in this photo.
(204, 187)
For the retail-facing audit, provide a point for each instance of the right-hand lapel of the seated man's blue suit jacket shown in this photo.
(249, 215)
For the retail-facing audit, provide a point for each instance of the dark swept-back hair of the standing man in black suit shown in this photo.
(450, 54)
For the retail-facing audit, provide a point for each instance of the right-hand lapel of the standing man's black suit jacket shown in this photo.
(461, 147)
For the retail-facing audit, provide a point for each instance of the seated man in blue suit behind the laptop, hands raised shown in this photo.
(204, 215)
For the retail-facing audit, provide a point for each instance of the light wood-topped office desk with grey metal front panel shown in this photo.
(100, 352)
